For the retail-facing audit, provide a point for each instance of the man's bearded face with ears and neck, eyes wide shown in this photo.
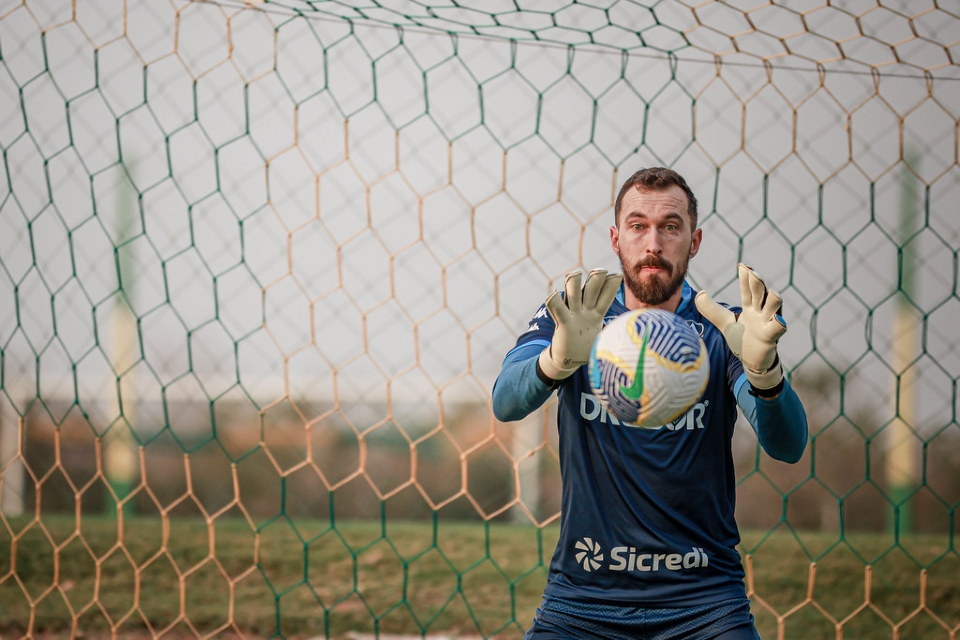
(654, 241)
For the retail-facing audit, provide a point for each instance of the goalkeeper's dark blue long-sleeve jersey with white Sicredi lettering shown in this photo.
(647, 516)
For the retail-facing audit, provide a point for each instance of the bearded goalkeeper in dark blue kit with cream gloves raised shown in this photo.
(647, 545)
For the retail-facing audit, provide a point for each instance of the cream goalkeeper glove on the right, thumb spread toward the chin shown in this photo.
(751, 334)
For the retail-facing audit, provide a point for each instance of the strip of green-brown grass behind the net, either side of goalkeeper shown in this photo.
(175, 578)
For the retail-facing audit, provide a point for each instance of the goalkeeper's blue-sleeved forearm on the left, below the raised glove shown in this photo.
(518, 390)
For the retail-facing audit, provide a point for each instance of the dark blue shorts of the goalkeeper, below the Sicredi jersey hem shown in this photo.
(558, 618)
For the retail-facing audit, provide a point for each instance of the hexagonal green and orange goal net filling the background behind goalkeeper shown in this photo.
(260, 262)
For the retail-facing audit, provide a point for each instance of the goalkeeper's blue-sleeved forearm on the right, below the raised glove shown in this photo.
(780, 423)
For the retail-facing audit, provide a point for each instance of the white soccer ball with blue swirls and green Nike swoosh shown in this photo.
(648, 367)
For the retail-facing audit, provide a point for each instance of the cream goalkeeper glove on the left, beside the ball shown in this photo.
(579, 318)
